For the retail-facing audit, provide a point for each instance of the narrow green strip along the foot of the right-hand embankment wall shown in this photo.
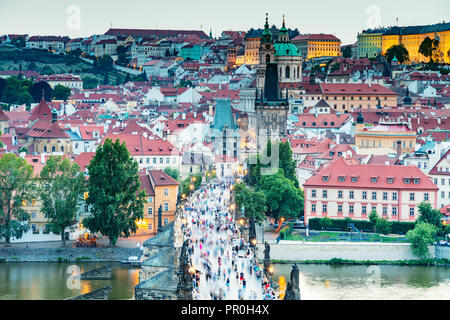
(338, 261)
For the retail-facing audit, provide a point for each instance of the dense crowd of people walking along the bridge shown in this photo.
(225, 265)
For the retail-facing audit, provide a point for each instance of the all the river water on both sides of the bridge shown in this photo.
(51, 281)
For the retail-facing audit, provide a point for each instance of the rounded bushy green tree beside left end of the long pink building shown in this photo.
(284, 200)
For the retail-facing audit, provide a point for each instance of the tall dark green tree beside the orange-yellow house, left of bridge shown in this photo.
(115, 199)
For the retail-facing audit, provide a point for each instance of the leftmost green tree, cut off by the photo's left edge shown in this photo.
(15, 187)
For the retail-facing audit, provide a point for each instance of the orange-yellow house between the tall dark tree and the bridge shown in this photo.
(162, 191)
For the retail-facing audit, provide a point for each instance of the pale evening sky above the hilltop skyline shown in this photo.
(343, 18)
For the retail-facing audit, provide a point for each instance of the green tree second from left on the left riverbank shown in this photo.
(61, 192)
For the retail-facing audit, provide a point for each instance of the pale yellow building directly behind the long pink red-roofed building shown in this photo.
(384, 138)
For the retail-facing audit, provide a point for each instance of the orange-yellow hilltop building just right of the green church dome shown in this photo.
(318, 45)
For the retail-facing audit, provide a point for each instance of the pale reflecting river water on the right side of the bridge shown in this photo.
(327, 282)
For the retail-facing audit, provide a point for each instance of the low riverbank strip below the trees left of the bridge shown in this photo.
(106, 254)
